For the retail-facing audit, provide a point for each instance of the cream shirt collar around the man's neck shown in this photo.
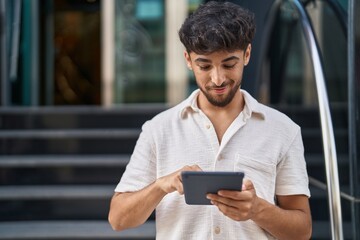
(252, 106)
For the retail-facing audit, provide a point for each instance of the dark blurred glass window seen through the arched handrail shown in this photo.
(288, 76)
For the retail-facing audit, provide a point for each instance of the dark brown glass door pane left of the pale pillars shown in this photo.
(76, 50)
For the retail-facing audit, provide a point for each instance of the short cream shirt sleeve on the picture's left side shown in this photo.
(141, 170)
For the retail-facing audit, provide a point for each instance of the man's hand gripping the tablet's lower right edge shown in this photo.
(239, 206)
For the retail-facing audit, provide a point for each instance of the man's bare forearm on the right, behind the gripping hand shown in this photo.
(283, 223)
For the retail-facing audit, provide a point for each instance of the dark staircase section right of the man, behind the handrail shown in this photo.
(309, 120)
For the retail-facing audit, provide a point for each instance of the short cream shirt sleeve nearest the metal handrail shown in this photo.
(292, 177)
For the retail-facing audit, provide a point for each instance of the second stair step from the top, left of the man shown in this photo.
(74, 141)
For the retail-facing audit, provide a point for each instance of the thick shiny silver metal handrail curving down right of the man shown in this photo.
(327, 130)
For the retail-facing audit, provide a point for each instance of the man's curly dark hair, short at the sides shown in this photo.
(217, 26)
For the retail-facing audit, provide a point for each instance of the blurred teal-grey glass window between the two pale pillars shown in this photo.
(140, 51)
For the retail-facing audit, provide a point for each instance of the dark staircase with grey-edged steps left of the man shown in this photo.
(59, 167)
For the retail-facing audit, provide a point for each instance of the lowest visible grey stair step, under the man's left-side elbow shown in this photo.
(83, 230)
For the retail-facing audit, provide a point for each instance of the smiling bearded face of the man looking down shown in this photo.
(219, 74)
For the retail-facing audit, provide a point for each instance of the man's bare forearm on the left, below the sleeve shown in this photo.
(128, 210)
